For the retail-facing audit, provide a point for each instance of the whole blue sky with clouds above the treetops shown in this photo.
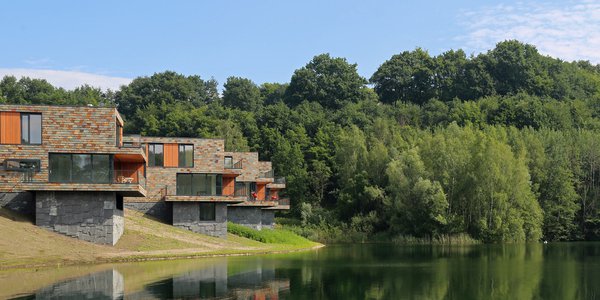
(106, 43)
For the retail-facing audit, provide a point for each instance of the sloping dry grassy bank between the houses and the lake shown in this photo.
(25, 245)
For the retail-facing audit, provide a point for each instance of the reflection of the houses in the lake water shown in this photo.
(211, 281)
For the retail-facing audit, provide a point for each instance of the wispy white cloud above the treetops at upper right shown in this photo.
(570, 30)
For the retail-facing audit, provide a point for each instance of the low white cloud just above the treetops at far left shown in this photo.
(68, 79)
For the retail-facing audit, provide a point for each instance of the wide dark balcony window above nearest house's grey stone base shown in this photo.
(80, 168)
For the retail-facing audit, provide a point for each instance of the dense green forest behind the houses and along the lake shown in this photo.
(501, 146)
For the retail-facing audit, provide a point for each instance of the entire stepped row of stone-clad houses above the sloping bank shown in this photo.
(73, 169)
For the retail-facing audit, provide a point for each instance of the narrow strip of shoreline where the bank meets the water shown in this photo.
(144, 258)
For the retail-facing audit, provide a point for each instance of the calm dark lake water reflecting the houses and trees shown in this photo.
(375, 271)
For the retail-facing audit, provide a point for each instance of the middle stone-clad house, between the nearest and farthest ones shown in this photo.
(189, 183)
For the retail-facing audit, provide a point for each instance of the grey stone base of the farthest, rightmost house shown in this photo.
(252, 217)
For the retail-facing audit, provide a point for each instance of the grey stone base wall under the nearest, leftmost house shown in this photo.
(89, 216)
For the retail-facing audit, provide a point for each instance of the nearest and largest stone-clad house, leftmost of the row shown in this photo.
(69, 167)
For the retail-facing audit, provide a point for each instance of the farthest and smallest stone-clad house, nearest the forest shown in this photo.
(263, 199)
